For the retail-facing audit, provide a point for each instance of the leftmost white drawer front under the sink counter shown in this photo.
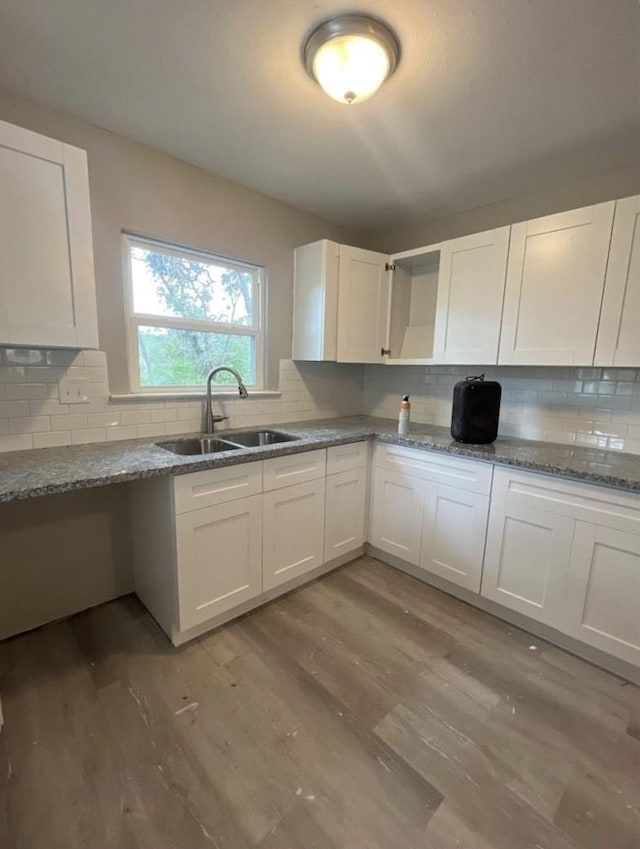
(215, 486)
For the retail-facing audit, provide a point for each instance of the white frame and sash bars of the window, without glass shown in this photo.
(135, 320)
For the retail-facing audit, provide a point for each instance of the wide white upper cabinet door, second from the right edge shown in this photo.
(555, 279)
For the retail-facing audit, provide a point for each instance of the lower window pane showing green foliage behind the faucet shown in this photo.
(172, 357)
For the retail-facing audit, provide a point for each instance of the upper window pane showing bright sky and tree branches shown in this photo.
(170, 285)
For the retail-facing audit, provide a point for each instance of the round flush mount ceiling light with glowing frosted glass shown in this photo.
(351, 56)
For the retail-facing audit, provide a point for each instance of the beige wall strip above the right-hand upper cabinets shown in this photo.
(551, 197)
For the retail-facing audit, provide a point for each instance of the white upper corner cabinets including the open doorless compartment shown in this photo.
(437, 304)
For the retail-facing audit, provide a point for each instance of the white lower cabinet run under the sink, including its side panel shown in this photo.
(212, 544)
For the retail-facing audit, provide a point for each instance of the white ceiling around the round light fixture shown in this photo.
(490, 96)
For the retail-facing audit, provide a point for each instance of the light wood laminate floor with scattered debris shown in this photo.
(364, 711)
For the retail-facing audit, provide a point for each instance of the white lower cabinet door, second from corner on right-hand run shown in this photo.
(453, 538)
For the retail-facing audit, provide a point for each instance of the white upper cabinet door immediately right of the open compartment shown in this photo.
(470, 294)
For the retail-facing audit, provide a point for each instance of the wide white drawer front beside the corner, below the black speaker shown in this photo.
(434, 466)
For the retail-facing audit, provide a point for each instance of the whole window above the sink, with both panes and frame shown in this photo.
(188, 312)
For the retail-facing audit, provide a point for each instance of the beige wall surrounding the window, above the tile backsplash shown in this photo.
(137, 188)
